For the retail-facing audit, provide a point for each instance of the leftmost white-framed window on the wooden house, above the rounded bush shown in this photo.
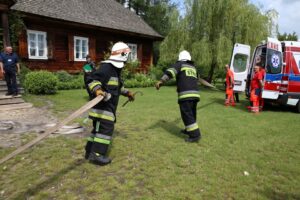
(37, 44)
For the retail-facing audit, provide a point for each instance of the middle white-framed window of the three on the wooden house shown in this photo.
(81, 48)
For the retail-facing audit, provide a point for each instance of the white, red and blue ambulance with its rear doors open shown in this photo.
(281, 61)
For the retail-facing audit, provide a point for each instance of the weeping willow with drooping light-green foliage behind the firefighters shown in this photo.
(209, 30)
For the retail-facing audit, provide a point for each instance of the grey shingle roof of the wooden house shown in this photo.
(101, 13)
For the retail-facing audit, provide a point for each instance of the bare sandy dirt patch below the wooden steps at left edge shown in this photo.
(28, 120)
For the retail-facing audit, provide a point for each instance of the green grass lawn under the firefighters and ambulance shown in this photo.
(151, 160)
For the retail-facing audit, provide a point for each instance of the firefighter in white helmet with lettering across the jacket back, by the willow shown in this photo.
(186, 75)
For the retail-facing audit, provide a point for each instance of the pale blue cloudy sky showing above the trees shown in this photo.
(289, 12)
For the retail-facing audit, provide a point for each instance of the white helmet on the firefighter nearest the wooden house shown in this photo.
(119, 54)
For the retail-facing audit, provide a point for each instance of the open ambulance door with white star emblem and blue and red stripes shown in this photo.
(273, 69)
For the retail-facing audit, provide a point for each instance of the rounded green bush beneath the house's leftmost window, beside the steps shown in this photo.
(41, 82)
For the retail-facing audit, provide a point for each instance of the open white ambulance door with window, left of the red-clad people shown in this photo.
(239, 65)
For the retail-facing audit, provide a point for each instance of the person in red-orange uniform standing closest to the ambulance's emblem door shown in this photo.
(256, 86)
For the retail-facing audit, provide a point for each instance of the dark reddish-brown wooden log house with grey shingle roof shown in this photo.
(59, 33)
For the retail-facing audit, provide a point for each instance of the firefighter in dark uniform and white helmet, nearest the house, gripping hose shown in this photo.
(106, 81)
